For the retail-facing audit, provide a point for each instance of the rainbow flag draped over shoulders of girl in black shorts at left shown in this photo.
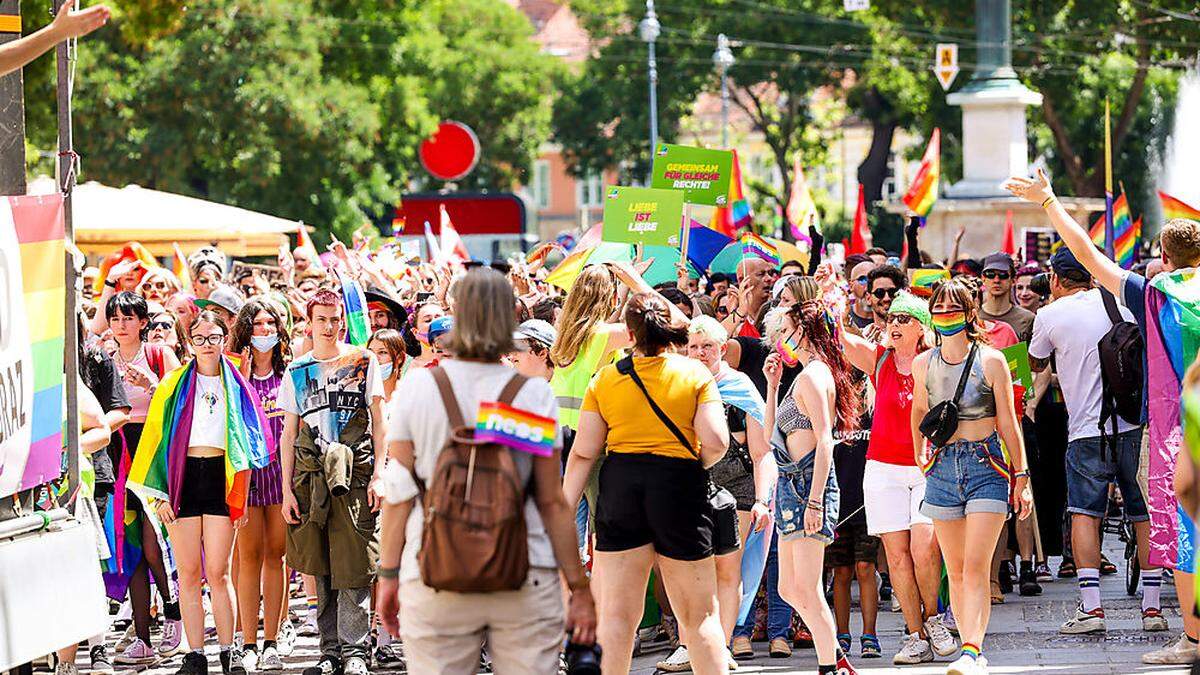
(158, 469)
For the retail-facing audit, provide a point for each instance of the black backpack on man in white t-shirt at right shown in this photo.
(1123, 353)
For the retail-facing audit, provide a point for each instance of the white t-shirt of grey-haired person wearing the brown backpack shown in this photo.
(417, 415)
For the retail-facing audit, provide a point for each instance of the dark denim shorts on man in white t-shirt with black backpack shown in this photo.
(1089, 475)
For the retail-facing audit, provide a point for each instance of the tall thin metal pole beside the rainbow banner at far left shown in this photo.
(64, 57)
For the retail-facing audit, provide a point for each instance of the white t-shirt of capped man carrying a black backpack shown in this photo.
(1070, 328)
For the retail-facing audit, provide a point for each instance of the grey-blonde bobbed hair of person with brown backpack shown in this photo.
(485, 316)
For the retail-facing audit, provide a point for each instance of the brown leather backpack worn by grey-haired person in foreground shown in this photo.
(475, 536)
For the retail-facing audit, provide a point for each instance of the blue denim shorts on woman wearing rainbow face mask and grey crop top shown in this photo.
(965, 477)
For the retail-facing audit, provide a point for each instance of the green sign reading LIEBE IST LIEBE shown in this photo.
(643, 216)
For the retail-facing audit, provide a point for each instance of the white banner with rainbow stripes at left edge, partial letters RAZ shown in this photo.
(33, 297)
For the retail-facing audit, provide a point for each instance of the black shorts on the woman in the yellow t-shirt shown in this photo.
(655, 500)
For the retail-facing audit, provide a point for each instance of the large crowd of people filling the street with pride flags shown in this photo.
(459, 464)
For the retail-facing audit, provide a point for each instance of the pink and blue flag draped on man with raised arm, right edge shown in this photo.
(1173, 339)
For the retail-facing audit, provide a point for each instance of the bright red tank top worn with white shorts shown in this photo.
(891, 427)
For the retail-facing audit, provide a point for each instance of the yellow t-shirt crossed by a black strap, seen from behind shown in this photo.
(677, 385)
